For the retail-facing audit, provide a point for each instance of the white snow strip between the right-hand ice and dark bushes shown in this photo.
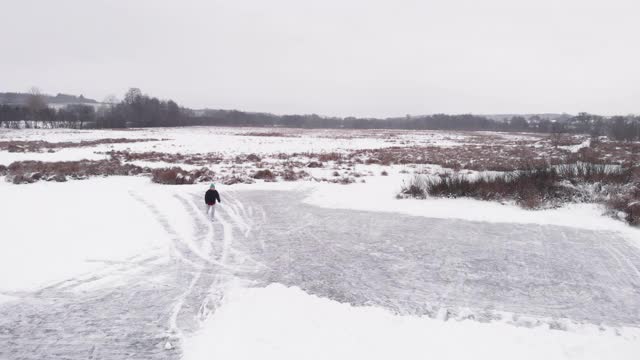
(379, 194)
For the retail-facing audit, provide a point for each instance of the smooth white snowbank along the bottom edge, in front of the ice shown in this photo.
(286, 323)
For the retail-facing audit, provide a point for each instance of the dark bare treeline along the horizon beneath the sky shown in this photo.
(140, 110)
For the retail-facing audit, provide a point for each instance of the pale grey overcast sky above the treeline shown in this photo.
(332, 57)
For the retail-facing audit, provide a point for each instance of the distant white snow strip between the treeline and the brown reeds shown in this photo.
(232, 141)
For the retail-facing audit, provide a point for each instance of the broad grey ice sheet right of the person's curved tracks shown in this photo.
(416, 265)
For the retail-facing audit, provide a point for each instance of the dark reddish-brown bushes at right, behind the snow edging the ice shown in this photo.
(547, 186)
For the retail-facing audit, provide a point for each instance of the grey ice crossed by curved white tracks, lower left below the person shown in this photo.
(155, 300)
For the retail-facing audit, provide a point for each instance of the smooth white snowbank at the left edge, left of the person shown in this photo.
(55, 231)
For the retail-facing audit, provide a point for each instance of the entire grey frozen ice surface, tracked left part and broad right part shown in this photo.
(409, 265)
